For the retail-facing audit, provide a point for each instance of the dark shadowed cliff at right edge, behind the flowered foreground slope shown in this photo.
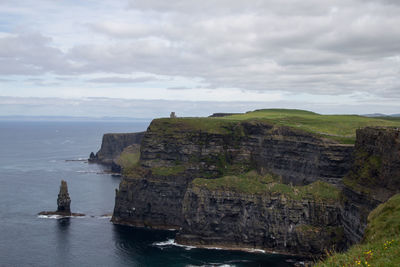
(373, 178)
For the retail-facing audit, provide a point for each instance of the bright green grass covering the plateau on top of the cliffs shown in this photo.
(341, 128)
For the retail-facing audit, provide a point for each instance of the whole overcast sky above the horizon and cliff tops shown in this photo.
(146, 58)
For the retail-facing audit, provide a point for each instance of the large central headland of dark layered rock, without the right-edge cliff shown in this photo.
(160, 191)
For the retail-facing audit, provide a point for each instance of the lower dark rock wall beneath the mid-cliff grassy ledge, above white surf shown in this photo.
(265, 221)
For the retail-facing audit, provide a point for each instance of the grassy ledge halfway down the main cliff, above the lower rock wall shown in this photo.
(253, 183)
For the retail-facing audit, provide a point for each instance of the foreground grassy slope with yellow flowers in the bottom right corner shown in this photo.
(381, 244)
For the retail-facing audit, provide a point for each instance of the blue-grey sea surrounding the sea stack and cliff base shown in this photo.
(33, 159)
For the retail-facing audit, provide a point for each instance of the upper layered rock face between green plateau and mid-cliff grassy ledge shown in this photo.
(299, 157)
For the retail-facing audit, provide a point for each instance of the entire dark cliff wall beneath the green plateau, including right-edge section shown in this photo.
(188, 178)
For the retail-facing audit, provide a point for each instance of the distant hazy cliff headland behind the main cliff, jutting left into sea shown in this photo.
(112, 146)
